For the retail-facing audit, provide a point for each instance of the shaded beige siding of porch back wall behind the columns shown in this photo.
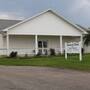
(21, 42)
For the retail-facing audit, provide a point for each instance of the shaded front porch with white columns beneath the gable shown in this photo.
(34, 44)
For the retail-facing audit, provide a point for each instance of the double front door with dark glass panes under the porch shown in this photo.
(42, 46)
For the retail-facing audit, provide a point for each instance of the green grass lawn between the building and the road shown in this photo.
(51, 61)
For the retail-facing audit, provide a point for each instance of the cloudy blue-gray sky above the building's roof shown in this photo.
(77, 11)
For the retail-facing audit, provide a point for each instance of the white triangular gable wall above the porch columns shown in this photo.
(46, 24)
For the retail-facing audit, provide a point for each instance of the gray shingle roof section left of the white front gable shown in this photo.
(7, 23)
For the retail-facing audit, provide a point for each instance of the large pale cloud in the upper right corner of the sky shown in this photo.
(79, 12)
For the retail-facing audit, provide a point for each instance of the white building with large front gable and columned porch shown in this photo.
(39, 33)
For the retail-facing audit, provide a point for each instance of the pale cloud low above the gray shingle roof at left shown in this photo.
(11, 15)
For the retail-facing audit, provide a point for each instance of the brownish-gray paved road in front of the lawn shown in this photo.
(38, 78)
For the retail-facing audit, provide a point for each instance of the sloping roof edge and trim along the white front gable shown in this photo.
(49, 10)
